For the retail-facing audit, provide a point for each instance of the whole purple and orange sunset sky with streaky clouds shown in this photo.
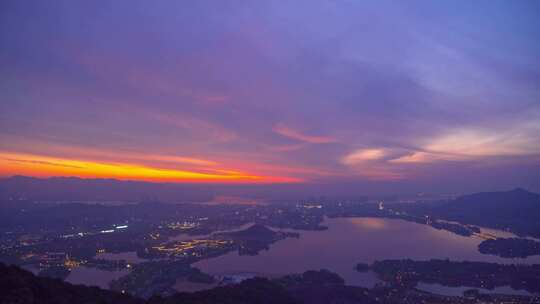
(406, 93)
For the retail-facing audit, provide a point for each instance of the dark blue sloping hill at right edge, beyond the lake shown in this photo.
(517, 210)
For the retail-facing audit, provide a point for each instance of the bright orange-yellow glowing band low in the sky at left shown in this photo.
(45, 166)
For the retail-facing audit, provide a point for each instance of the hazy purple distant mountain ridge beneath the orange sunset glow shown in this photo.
(106, 189)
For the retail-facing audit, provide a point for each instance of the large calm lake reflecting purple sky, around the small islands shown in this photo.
(352, 240)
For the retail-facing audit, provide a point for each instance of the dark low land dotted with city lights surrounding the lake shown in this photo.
(54, 238)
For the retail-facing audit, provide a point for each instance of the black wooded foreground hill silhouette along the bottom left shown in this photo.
(22, 287)
